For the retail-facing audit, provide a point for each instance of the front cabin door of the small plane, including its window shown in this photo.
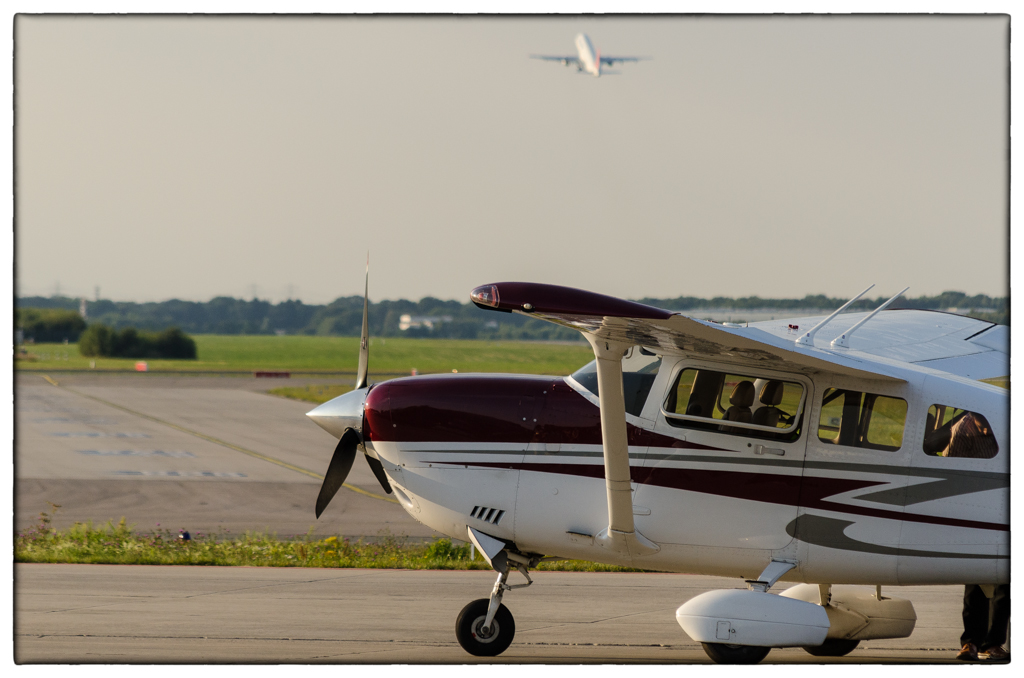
(709, 485)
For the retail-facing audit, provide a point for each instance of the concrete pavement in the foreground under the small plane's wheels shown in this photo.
(153, 614)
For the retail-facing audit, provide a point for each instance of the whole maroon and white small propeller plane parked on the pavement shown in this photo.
(843, 454)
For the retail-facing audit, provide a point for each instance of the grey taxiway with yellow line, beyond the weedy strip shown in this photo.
(203, 454)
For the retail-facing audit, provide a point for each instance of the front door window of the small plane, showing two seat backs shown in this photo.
(702, 399)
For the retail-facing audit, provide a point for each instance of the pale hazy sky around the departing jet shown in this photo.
(195, 157)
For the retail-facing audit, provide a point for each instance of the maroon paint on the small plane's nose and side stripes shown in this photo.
(522, 410)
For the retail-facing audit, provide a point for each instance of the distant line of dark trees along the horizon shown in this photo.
(344, 317)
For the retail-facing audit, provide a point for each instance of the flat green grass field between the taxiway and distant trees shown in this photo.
(296, 354)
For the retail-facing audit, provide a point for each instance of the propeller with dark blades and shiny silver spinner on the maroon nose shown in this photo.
(343, 417)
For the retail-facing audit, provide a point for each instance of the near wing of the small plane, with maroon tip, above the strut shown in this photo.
(627, 322)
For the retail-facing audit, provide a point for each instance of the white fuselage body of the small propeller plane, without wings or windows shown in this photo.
(726, 504)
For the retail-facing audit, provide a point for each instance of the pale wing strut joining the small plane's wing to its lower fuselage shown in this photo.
(621, 535)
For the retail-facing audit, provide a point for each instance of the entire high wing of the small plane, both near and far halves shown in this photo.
(888, 344)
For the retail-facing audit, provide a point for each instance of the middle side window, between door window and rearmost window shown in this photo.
(857, 419)
